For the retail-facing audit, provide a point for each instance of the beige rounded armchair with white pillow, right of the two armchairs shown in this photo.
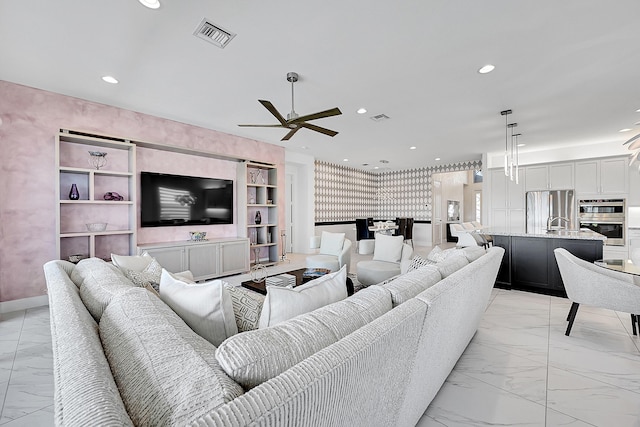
(389, 257)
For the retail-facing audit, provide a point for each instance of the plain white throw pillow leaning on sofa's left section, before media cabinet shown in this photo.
(205, 307)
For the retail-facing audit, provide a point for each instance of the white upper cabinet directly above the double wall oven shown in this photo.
(602, 176)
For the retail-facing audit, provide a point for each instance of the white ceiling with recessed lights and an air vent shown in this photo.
(568, 69)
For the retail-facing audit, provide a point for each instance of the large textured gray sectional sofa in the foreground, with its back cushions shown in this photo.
(377, 358)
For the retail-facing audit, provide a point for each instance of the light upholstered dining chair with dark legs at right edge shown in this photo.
(587, 283)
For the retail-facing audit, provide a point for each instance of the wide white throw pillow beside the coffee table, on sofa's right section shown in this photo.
(284, 303)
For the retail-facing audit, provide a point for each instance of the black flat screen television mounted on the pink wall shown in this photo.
(171, 200)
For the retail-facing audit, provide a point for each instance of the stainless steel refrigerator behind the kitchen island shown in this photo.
(542, 205)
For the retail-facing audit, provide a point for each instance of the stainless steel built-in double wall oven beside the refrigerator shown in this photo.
(604, 216)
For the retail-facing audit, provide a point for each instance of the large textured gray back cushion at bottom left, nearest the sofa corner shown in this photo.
(166, 374)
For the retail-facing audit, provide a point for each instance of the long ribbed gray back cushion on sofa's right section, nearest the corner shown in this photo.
(254, 357)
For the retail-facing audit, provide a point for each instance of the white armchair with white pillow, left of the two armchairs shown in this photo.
(335, 251)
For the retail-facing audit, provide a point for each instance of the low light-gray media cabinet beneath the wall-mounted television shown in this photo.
(205, 259)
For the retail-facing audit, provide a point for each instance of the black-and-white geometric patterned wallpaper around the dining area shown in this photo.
(344, 193)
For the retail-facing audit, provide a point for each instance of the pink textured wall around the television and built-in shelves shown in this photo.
(29, 120)
